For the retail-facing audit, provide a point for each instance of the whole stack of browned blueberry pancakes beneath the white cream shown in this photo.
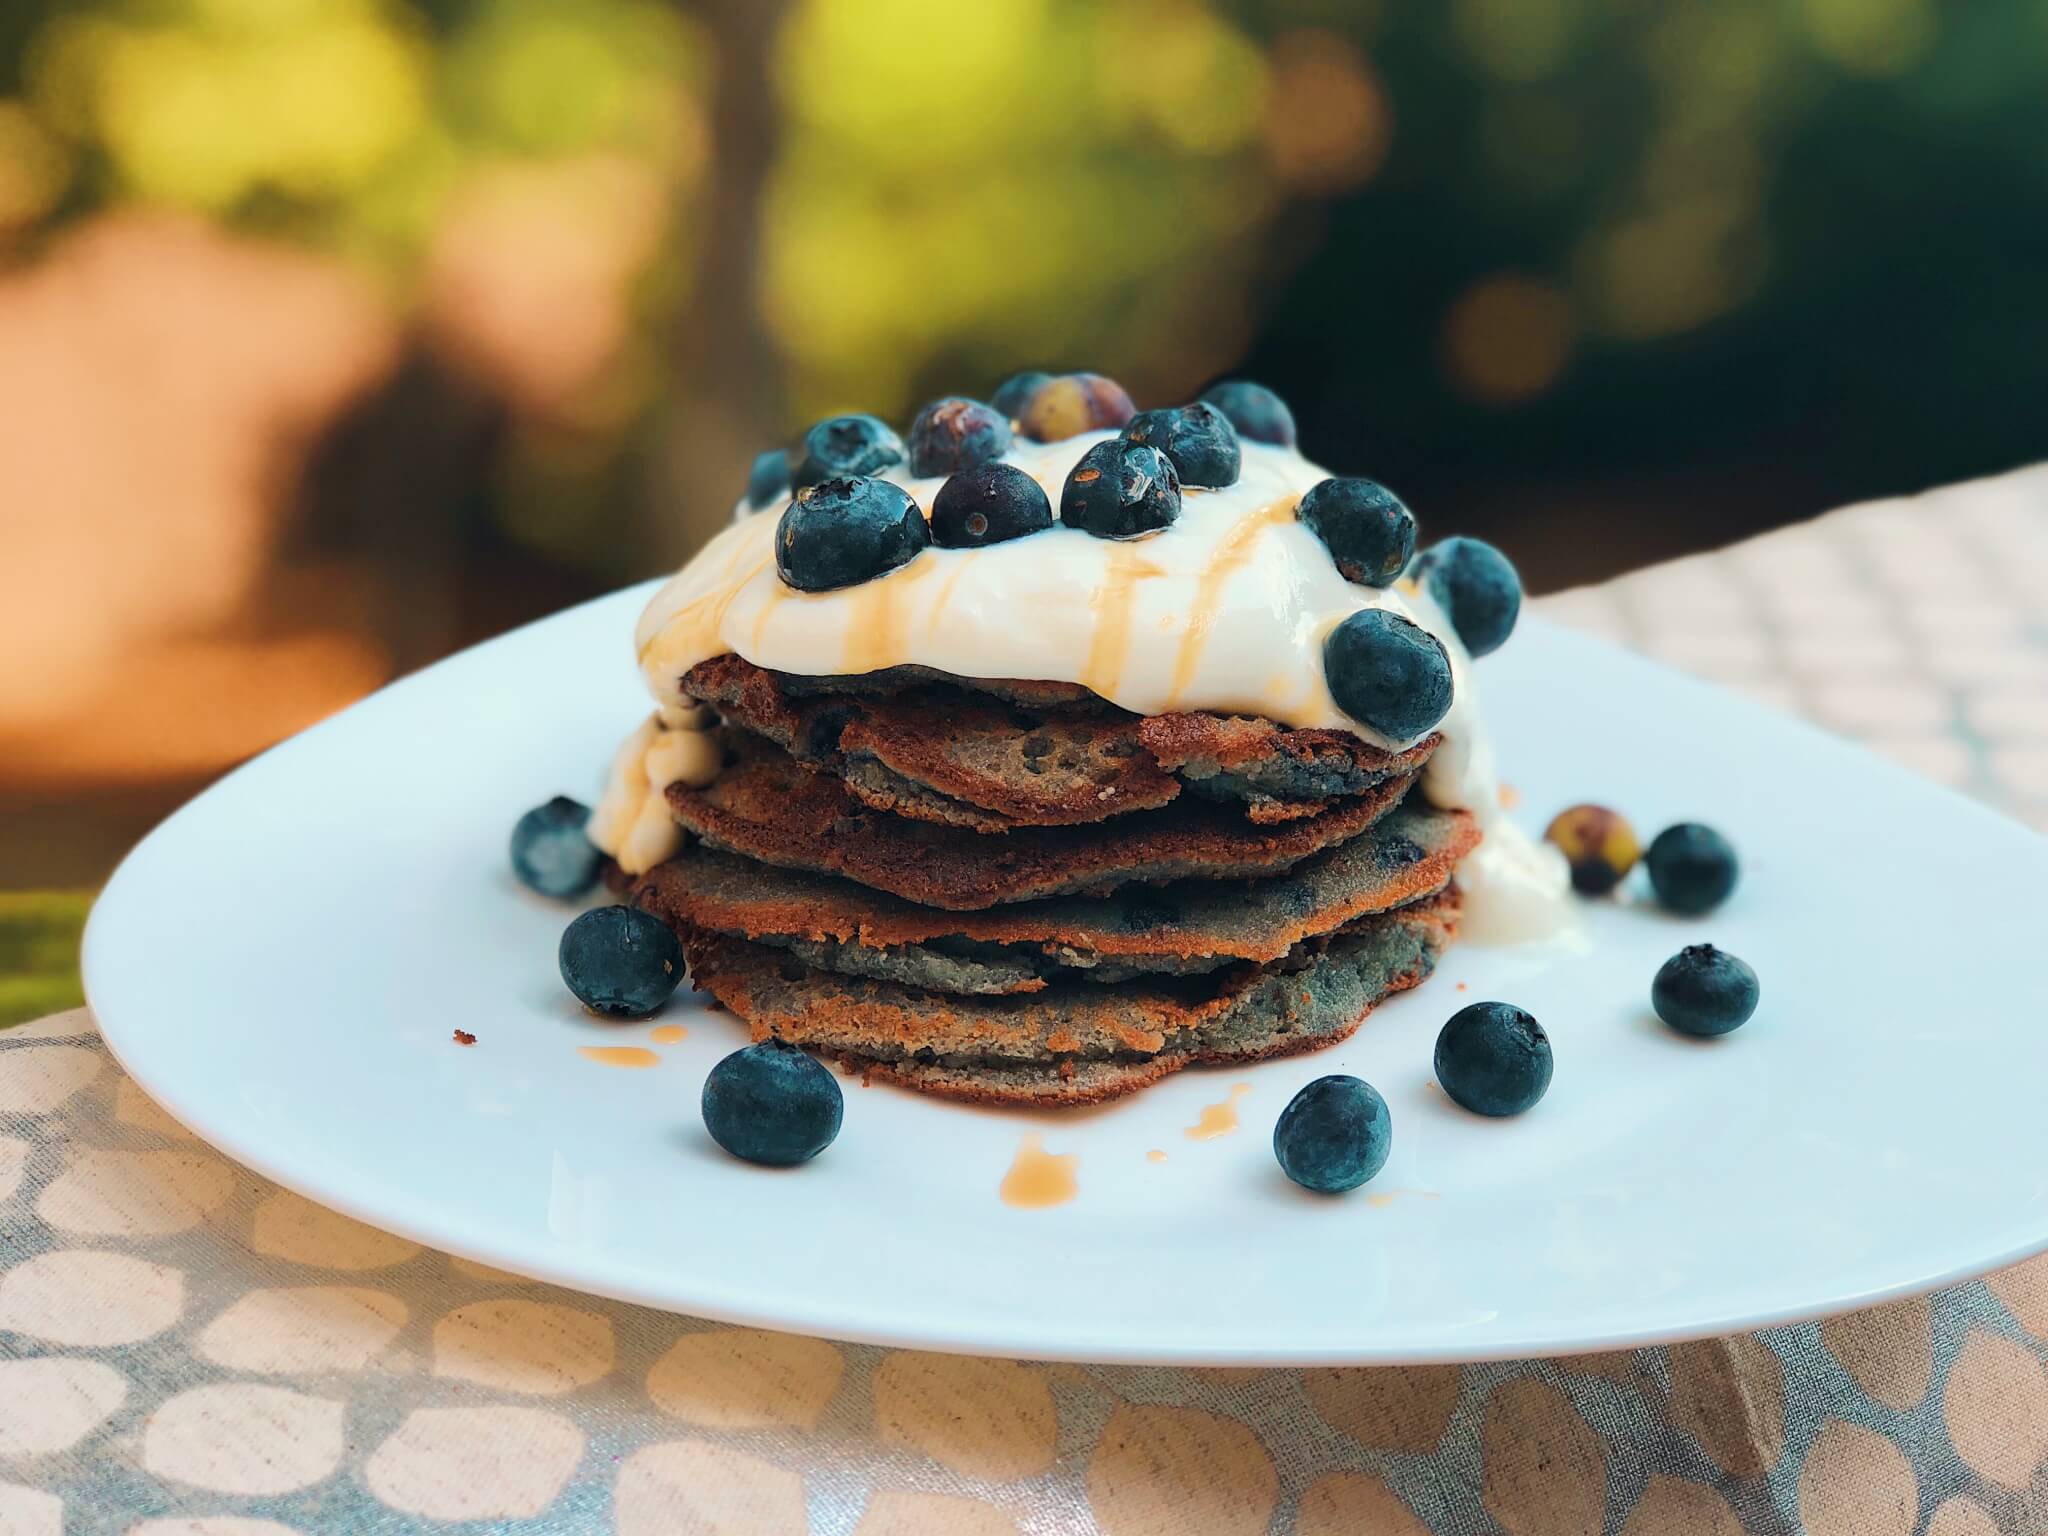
(1017, 894)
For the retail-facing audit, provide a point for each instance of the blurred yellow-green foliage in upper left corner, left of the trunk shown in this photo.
(341, 122)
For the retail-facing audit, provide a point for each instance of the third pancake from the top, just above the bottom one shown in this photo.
(1183, 929)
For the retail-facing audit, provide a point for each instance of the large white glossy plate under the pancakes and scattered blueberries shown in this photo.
(286, 959)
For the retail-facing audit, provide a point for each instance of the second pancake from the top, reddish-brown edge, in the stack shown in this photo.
(769, 808)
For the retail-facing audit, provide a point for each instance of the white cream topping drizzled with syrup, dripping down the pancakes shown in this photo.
(1224, 611)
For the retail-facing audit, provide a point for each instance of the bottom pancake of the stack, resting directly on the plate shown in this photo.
(1078, 1043)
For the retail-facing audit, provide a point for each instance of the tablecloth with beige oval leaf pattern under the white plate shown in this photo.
(187, 1351)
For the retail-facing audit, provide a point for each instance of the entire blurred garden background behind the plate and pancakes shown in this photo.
(341, 333)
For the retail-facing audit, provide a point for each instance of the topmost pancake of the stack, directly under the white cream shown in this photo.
(957, 755)
